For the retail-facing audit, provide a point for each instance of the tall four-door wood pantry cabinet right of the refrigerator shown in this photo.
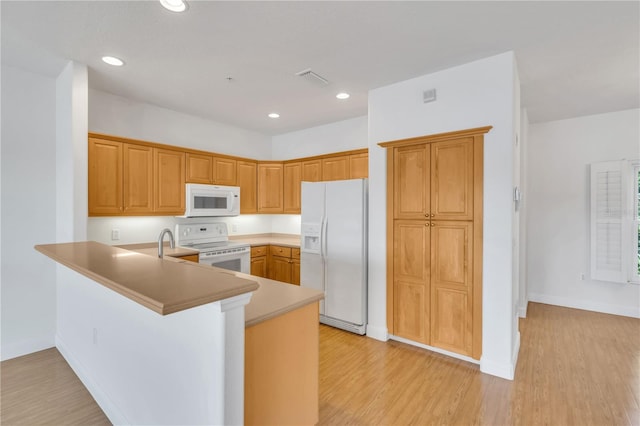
(434, 240)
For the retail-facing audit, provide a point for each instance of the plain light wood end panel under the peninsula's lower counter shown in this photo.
(281, 369)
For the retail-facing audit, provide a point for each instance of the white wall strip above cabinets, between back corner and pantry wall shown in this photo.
(339, 136)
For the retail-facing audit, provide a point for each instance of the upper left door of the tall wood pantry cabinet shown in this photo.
(411, 180)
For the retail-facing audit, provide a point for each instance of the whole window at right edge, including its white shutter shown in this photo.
(615, 221)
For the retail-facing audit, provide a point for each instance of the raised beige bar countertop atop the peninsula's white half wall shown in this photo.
(162, 285)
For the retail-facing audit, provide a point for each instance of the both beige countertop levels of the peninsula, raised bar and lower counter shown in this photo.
(136, 272)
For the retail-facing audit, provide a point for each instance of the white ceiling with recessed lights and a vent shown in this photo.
(574, 58)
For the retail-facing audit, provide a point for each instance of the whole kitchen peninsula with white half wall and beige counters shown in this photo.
(163, 340)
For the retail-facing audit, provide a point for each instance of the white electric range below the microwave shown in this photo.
(211, 240)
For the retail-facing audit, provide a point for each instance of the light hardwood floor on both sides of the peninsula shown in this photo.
(575, 368)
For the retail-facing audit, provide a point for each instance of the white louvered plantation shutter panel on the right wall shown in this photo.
(608, 236)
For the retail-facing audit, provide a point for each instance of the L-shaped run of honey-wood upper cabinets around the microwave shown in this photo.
(127, 177)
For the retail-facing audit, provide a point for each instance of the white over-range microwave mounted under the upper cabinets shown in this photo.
(212, 200)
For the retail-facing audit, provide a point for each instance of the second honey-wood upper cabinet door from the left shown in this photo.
(138, 179)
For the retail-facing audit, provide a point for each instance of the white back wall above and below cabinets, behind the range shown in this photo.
(119, 116)
